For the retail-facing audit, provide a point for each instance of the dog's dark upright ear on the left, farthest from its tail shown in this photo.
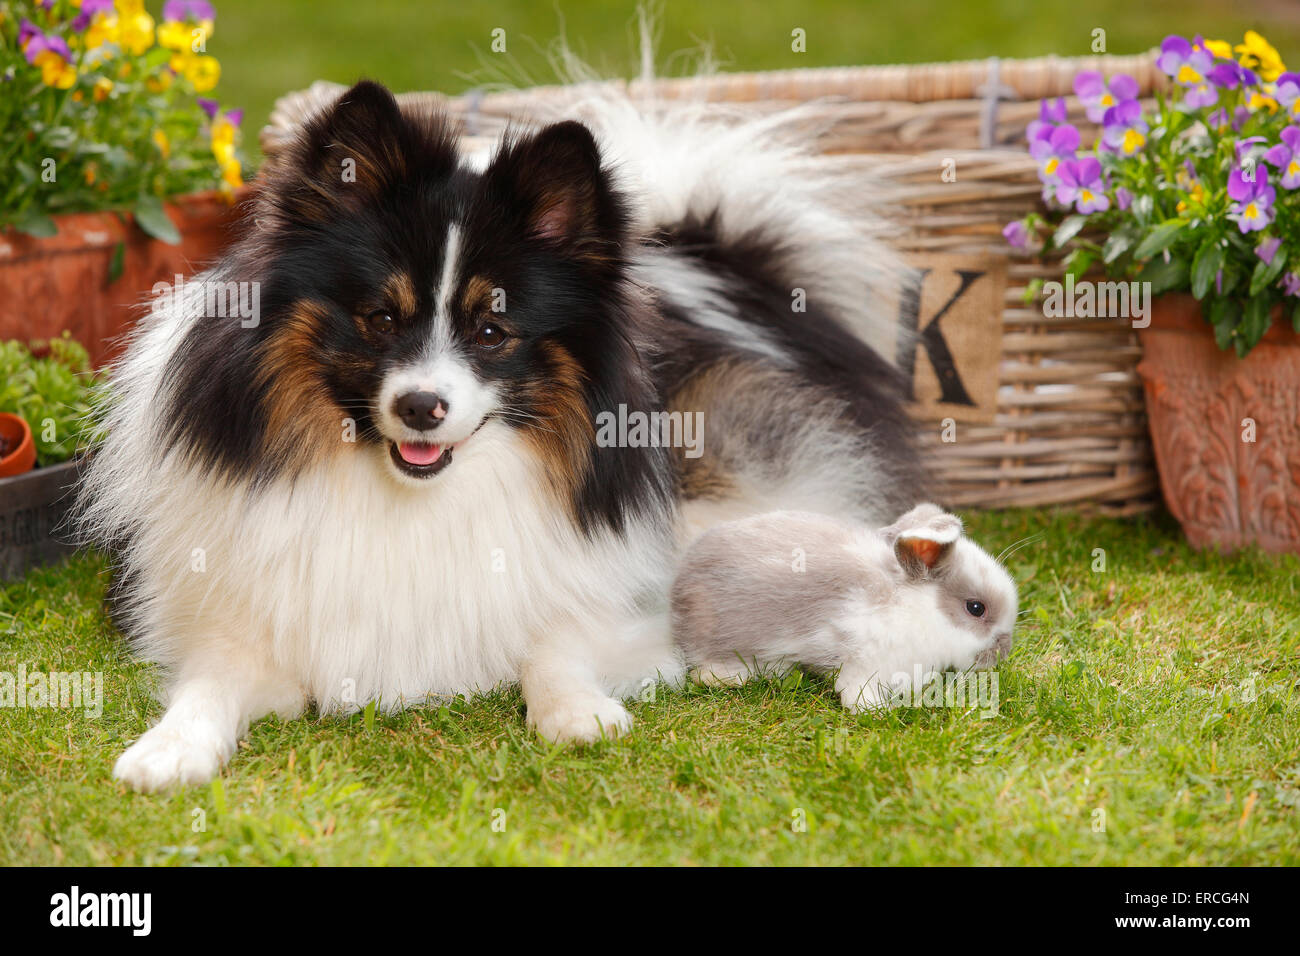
(345, 155)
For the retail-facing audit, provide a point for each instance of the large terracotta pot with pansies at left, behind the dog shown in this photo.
(66, 282)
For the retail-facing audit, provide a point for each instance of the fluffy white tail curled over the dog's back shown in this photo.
(755, 180)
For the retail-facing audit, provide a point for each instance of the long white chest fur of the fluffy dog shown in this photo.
(362, 589)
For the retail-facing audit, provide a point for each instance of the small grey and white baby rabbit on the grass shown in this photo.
(883, 608)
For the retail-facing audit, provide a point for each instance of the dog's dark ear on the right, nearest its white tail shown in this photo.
(553, 189)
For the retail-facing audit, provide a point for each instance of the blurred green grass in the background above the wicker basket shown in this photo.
(271, 49)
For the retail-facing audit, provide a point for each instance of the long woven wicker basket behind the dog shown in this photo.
(1071, 425)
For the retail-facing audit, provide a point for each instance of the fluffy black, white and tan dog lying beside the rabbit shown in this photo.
(401, 481)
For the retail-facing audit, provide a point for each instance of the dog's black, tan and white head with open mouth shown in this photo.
(408, 300)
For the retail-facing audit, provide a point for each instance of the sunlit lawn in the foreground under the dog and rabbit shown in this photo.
(1163, 691)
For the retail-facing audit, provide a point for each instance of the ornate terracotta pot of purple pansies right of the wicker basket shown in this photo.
(1227, 431)
